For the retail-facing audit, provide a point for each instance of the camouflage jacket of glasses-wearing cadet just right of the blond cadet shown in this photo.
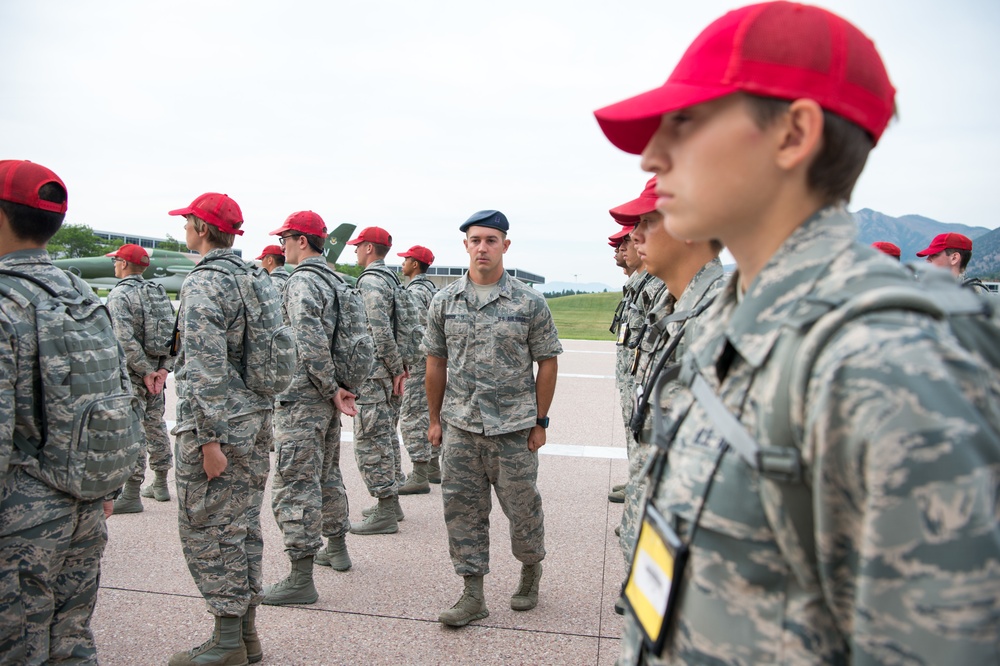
(310, 308)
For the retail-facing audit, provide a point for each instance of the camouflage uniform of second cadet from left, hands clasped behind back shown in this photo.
(127, 316)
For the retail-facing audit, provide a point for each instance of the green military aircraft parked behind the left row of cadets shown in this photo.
(170, 268)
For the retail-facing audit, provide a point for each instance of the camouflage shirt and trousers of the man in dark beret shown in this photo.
(488, 410)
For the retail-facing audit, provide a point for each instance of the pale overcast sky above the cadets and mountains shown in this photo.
(412, 115)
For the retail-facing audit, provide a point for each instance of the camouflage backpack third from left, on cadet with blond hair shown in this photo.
(268, 363)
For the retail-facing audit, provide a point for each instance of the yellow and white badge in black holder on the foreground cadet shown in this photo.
(654, 577)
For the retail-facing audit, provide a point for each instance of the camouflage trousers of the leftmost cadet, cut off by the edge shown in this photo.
(50, 565)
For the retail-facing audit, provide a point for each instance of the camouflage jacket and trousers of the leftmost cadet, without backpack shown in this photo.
(50, 543)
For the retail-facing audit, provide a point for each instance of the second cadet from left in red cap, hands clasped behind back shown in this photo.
(143, 318)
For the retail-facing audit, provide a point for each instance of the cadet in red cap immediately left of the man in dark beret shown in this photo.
(413, 420)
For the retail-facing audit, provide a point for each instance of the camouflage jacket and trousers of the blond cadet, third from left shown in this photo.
(219, 521)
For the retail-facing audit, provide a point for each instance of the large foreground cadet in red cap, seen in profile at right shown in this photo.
(824, 541)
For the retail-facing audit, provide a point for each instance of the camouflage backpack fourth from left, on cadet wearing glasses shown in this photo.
(352, 346)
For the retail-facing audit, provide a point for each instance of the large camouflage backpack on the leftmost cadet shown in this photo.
(91, 422)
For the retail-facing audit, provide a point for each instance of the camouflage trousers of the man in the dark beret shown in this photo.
(470, 464)
